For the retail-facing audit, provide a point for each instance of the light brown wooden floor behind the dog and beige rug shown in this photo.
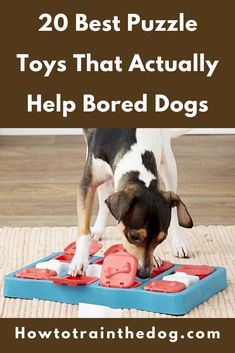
(39, 179)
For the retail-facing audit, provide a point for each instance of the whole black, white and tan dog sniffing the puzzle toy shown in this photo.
(125, 167)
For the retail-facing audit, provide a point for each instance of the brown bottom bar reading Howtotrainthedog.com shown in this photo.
(116, 335)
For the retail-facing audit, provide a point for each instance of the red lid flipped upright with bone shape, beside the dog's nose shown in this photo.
(119, 270)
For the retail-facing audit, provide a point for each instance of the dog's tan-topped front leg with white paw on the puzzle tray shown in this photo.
(79, 262)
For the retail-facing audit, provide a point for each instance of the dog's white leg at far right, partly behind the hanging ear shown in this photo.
(168, 172)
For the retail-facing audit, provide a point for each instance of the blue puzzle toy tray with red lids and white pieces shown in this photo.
(111, 281)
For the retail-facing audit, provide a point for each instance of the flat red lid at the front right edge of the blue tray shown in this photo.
(165, 286)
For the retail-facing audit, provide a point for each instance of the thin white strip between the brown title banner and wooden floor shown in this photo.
(23, 132)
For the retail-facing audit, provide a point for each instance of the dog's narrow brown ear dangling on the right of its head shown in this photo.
(184, 217)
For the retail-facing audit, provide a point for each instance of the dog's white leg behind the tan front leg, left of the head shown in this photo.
(104, 191)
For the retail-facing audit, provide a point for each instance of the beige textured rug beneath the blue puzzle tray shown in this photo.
(21, 246)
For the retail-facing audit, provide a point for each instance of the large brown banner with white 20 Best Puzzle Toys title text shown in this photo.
(187, 99)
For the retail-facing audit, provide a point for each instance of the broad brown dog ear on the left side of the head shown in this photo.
(120, 202)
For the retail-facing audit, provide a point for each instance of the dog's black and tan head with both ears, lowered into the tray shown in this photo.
(144, 217)
